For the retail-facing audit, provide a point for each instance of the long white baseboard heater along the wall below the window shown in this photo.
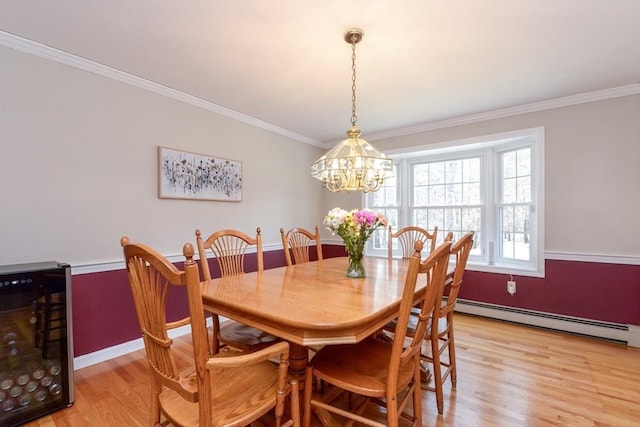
(576, 325)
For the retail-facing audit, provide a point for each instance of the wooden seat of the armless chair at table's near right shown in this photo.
(360, 368)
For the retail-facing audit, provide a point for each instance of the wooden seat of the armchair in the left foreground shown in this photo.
(237, 395)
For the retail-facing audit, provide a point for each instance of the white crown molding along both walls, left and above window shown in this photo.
(47, 52)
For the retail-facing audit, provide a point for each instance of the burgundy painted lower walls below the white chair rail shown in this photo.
(104, 314)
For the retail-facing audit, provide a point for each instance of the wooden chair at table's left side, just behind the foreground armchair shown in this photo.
(229, 248)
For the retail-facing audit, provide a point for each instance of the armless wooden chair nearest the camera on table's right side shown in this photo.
(386, 373)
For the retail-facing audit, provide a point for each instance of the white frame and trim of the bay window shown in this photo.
(490, 149)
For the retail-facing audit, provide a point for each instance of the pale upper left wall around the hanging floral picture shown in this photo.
(78, 168)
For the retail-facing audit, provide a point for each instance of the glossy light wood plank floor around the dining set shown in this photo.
(508, 375)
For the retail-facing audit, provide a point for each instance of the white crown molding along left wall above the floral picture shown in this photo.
(56, 55)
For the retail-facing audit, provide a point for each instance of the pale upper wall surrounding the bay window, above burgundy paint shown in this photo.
(592, 172)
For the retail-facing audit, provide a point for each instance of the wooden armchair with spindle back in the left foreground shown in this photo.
(236, 389)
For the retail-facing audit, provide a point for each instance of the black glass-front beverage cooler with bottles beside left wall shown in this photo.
(36, 349)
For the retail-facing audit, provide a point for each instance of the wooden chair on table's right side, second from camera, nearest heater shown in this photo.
(441, 338)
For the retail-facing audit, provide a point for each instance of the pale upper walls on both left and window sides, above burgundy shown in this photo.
(78, 169)
